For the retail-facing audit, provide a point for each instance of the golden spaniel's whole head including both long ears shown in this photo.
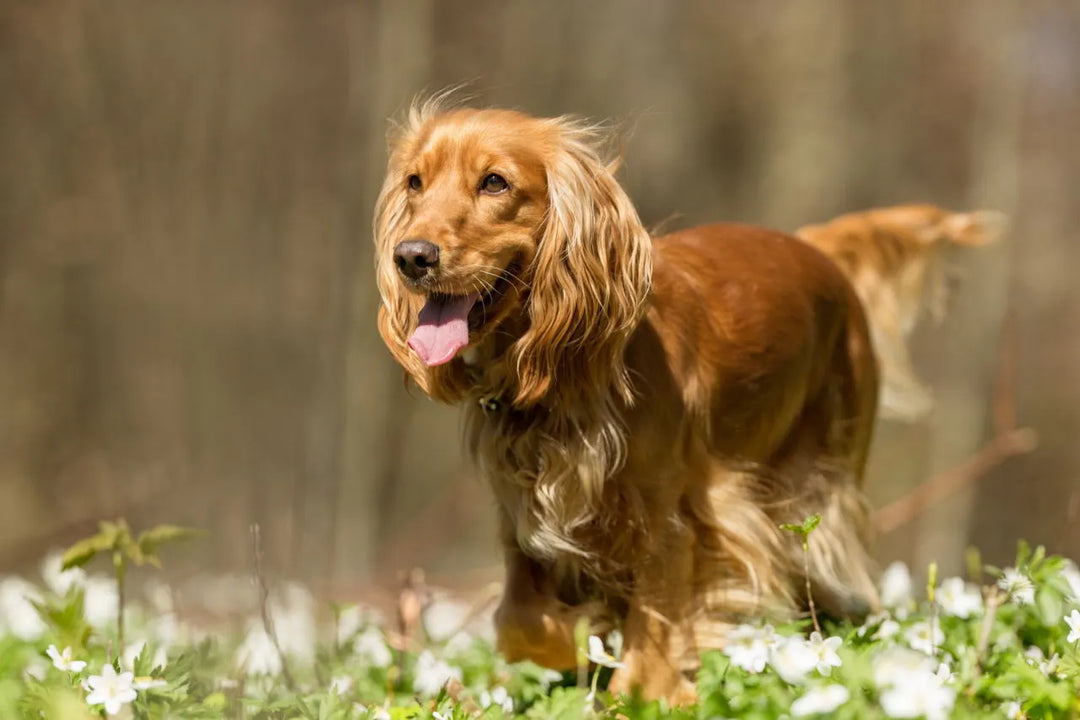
(494, 227)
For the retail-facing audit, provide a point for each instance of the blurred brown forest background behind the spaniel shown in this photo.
(187, 309)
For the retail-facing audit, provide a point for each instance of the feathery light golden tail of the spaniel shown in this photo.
(894, 257)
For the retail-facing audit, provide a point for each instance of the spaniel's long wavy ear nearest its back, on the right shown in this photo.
(590, 280)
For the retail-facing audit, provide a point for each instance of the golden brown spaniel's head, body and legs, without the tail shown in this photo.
(646, 411)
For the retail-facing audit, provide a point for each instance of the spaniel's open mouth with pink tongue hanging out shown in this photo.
(447, 320)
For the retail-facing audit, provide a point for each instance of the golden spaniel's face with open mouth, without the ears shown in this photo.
(476, 194)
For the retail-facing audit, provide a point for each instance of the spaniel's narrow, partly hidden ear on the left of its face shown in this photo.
(399, 311)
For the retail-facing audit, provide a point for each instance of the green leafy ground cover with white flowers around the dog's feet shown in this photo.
(992, 647)
